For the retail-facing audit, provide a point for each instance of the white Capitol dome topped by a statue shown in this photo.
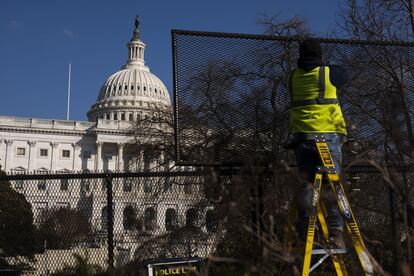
(133, 92)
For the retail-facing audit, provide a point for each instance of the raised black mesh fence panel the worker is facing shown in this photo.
(231, 98)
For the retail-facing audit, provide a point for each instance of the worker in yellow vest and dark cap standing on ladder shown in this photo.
(315, 110)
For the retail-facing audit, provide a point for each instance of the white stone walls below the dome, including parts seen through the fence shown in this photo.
(91, 146)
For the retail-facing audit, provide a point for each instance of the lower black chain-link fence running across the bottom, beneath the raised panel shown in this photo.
(234, 217)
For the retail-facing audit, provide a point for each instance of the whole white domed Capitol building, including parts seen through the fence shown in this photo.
(102, 143)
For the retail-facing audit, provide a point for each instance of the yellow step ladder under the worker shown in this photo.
(318, 212)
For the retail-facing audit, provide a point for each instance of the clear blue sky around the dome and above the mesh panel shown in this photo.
(38, 39)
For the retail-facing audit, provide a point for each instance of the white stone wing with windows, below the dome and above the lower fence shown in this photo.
(57, 136)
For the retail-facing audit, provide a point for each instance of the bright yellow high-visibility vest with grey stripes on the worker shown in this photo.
(314, 104)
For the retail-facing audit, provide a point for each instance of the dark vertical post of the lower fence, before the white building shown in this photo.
(110, 217)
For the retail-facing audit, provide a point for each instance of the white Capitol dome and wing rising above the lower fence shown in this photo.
(39, 145)
